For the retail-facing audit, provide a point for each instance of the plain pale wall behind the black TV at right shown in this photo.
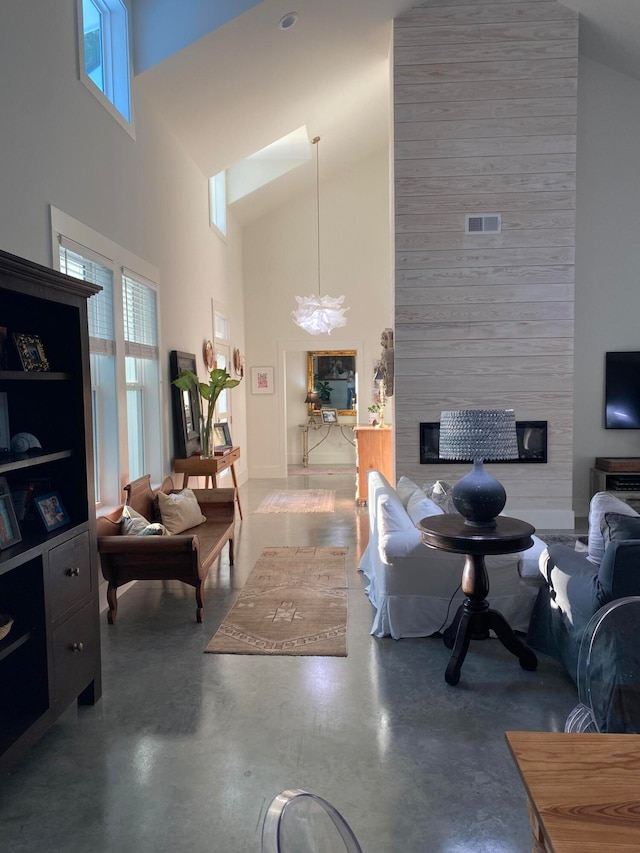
(607, 295)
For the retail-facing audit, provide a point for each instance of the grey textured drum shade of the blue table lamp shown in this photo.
(478, 434)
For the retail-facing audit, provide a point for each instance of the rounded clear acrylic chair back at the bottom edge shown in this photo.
(300, 822)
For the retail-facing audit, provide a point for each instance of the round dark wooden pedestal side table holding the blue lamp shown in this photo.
(475, 618)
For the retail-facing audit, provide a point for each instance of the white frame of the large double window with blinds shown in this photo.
(114, 472)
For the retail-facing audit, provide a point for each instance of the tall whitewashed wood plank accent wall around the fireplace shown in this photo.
(485, 103)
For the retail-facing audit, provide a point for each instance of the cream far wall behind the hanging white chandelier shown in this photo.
(280, 263)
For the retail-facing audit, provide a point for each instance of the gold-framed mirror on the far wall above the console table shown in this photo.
(332, 375)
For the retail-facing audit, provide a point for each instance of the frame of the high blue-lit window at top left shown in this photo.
(118, 71)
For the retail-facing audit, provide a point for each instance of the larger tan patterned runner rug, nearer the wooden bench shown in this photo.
(294, 603)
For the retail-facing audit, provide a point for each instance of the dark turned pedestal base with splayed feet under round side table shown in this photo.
(475, 618)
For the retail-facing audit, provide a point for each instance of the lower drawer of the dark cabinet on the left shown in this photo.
(76, 651)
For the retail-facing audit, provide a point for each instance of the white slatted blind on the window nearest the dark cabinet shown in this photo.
(81, 263)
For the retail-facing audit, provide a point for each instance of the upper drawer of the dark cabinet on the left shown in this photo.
(70, 575)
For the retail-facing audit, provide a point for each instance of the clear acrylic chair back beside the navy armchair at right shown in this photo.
(609, 671)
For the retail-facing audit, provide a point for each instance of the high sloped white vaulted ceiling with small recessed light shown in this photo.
(244, 83)
